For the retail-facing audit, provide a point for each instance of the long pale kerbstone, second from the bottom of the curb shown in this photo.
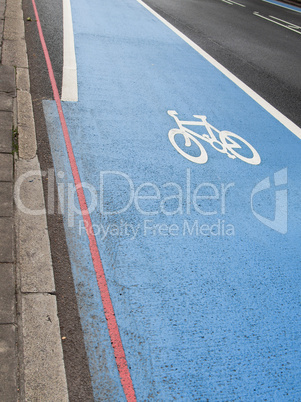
(34, 257)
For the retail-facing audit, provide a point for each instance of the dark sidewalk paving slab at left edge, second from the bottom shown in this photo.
(7, 294)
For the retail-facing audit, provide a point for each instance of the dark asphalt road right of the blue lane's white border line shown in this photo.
(265, 56)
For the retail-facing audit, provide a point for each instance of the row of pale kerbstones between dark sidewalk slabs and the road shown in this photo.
(41, 365)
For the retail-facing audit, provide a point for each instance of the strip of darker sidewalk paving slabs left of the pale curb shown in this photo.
(8, 321)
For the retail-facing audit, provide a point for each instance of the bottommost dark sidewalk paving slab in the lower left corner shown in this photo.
(8, 364)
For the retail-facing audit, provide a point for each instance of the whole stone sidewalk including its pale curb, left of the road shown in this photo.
(31, 356)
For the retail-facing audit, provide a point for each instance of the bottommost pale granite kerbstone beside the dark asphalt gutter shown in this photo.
(44, 370)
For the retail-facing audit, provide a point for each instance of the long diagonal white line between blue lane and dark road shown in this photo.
(262, 102)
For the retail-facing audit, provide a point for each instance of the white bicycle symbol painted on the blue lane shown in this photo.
(226, 144)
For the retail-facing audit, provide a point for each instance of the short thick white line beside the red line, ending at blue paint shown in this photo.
(69, 85)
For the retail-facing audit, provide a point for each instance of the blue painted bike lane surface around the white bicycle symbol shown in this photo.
(202, 261)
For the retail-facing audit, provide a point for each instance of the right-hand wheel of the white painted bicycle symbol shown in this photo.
(228, 139)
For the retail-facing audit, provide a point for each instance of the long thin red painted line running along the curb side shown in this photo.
(120, 358)
